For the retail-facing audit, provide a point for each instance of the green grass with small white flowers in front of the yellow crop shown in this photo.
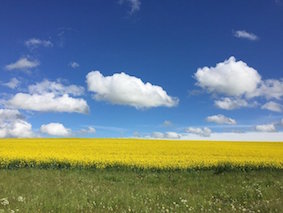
(129, 190)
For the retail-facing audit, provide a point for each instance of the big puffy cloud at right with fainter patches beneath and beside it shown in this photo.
(239, 83)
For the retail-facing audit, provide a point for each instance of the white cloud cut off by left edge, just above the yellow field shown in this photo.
(12, 124)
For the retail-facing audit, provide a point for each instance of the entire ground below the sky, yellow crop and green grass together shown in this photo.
(127, 175)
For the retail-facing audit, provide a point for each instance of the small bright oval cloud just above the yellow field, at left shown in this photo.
(55, 129)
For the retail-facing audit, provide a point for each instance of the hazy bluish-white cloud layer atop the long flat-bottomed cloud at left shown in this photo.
(56, 88)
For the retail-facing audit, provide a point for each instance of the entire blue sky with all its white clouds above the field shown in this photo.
(186, 69)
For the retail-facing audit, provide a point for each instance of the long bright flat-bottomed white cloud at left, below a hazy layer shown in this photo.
(48, 102)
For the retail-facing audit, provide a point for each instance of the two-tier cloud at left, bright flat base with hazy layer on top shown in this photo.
(50, 97)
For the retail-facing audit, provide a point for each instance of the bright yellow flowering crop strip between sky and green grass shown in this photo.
(141, 153)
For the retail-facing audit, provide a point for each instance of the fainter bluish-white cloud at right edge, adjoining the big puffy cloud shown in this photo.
(270, 88)
